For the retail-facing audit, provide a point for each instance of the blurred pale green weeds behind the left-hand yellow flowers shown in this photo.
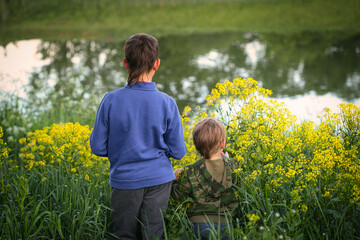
(19, 116)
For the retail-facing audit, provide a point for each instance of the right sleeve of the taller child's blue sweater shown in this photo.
(174, 136)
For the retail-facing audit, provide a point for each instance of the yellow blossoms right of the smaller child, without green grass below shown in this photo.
(287, 156)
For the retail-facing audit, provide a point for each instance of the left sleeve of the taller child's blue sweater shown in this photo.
(100, 133)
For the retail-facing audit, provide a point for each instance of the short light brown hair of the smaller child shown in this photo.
(208, 135)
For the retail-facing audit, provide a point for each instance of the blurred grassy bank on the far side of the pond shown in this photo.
(109, 20)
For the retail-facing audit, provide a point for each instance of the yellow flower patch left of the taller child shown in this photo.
(66, 145)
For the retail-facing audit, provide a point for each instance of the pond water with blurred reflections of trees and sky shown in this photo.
(308, 71)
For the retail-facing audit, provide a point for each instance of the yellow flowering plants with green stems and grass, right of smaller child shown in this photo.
(298, 180)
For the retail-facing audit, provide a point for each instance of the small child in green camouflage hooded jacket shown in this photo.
(208, 181)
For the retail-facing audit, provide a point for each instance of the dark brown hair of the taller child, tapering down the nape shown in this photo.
(141, 52)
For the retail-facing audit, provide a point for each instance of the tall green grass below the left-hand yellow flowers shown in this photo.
(52, 205)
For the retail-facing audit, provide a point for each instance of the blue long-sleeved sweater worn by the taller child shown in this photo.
(138, 128)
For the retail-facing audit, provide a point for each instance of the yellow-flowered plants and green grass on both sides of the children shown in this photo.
(298, 180)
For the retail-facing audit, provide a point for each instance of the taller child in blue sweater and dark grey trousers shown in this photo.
(139, 128)
